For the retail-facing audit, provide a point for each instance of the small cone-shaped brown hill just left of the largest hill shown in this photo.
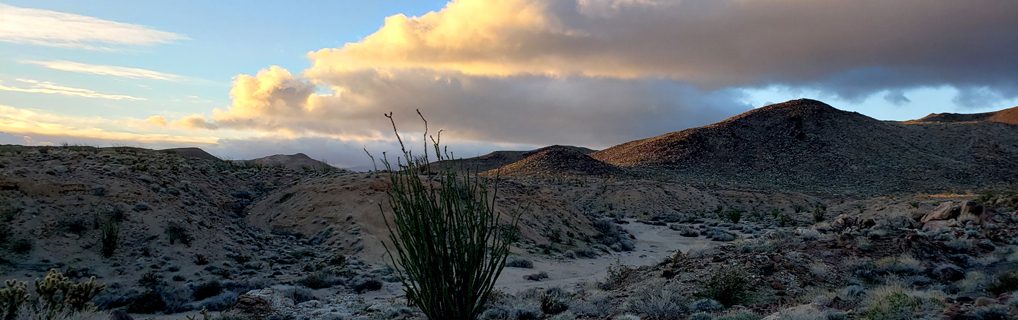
(556, 161)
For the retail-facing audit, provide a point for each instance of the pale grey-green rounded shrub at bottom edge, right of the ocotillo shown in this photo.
(658, 302)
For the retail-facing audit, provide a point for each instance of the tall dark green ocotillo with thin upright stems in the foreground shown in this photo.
(449, 245)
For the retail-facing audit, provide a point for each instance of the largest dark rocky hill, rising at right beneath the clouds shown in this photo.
(807, 144)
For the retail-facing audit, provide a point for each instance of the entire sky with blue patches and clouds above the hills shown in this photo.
(251, 79)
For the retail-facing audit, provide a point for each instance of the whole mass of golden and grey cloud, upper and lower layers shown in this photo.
(600, 73)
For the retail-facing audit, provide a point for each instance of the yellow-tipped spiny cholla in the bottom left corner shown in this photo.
(56, 296)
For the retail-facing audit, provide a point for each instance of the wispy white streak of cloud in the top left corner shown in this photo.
(54, 29)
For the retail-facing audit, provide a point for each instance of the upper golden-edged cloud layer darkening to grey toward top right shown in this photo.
(849, 47)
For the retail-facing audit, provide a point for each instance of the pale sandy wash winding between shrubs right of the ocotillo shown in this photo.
(654, 244)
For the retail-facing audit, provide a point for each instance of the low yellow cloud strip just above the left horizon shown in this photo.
(28, 122)
